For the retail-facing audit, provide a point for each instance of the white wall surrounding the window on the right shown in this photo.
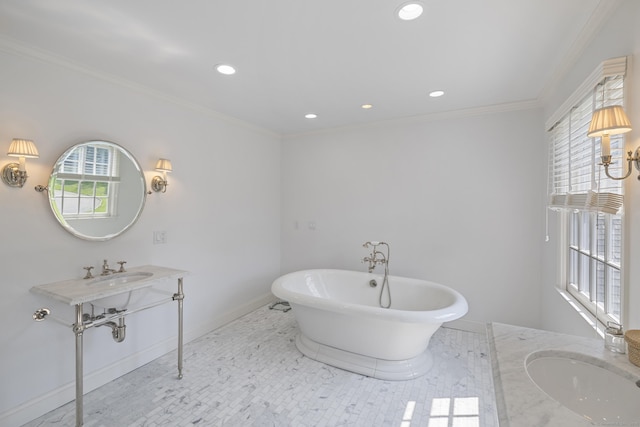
(620, 36)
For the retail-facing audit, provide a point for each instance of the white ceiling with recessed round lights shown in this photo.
(298, 56)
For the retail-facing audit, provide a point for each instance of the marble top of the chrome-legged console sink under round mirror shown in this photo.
(78, 291)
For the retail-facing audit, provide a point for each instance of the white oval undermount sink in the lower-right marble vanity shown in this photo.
(590, 387)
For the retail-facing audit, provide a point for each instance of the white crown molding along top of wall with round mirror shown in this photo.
(15, 48)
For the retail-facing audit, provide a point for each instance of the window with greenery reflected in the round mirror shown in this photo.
(87, 181)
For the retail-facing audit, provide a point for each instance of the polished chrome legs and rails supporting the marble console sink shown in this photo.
(80, 326)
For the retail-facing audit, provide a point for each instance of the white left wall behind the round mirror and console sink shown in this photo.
(221, 214)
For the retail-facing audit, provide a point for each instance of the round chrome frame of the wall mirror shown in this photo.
(60, 219)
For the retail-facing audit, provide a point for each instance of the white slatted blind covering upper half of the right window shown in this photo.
(576, 180)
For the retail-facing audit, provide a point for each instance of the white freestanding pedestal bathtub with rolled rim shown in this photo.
(341, 323)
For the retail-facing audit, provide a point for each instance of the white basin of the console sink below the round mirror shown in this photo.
(123, 300)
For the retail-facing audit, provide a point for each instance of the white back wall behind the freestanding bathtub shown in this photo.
(459, 200)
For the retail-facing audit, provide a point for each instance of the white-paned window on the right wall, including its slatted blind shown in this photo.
(590, 204)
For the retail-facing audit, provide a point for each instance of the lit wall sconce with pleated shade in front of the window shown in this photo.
(612, 121)
